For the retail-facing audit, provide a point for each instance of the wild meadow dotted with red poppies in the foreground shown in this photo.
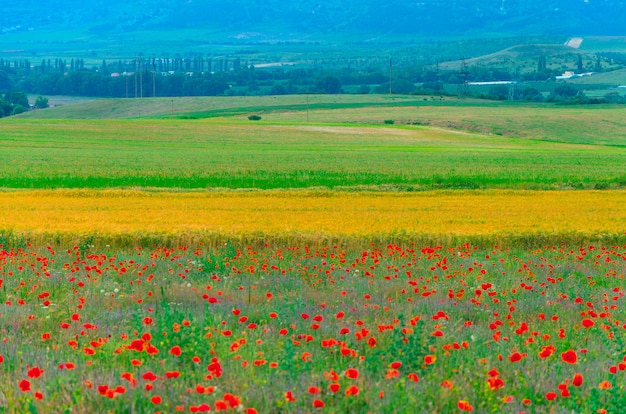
(389, 328)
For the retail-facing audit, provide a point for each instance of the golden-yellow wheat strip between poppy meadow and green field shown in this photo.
(336, 214)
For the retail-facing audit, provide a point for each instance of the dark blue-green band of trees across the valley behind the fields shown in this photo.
(201, 76)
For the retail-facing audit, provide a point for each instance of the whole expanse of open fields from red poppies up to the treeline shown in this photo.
(469, 257)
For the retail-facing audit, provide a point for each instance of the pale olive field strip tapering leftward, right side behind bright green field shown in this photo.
(568, 124)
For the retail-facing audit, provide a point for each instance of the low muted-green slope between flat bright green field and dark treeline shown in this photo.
(575, 124)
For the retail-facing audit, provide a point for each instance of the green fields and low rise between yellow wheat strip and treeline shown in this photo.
(345, 144)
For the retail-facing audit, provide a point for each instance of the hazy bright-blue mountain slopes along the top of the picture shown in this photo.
(314, 19)
